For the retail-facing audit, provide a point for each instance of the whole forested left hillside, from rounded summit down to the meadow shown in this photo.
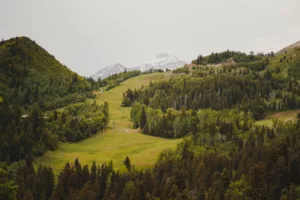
(32, 85)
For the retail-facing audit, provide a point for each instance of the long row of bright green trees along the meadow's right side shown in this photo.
(176, 124)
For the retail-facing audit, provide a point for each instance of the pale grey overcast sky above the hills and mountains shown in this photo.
(91, 34)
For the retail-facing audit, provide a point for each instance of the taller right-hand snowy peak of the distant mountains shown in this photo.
(161, 61)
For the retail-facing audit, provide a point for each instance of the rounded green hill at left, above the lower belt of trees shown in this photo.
(29, 74)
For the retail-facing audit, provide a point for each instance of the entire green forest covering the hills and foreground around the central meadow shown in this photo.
(212, 103)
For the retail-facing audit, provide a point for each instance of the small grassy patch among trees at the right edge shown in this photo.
(283, 116)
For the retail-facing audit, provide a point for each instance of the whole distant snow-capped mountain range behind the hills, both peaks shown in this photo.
(162, 61)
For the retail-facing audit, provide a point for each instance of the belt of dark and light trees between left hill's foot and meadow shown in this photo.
(36, 132)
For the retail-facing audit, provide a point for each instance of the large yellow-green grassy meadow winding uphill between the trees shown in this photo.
(117, 142)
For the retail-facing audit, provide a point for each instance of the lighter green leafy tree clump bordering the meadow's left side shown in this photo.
(78, 121)
